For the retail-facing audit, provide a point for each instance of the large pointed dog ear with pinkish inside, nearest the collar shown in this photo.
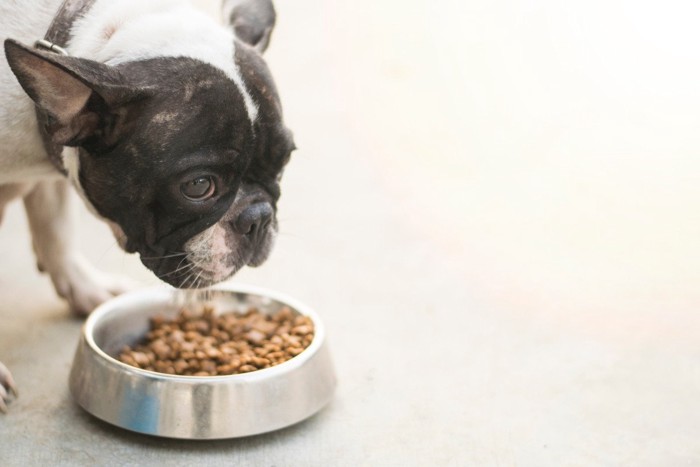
(75, 92)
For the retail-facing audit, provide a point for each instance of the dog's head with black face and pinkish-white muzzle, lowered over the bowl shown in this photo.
(181, 160)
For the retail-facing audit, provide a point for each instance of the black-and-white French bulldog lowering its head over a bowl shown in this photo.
(167, 124)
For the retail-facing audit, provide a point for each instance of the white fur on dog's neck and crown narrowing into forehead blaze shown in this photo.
(118, 31)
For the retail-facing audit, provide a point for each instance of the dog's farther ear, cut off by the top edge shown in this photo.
(252, 21)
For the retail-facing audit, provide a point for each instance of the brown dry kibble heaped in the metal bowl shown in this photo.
(208, 344)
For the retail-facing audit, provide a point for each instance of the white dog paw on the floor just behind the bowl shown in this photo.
(85, 287)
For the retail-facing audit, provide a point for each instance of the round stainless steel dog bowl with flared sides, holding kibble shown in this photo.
(195, 407)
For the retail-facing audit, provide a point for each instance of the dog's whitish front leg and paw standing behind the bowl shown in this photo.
(48, 211)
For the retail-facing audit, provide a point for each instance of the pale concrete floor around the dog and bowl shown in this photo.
(494, 208)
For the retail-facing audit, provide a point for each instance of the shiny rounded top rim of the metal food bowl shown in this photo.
(139, 295)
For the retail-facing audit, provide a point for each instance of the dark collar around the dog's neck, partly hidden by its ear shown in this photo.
(55, 40)
